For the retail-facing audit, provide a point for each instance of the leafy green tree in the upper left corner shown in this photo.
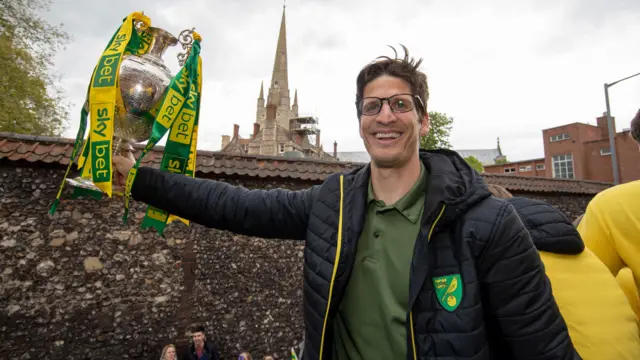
(31, 101)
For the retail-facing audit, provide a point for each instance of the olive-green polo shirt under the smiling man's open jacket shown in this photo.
(371, 319)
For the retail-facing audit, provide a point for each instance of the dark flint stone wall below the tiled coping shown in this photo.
(84, 285)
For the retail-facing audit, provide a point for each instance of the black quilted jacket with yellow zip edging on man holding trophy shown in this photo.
(507, 310)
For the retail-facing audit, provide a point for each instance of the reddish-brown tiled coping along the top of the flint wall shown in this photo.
(15, 147)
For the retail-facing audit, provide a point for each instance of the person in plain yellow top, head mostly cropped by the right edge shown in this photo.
(610, 226)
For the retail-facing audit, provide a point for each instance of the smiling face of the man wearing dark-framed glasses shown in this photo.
(392, 138)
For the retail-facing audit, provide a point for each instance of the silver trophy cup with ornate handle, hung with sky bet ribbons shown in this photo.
(144, 79)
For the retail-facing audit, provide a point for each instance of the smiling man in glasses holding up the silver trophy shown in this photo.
(407, 257)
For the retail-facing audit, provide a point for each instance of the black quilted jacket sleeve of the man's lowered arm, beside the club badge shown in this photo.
(519, 295)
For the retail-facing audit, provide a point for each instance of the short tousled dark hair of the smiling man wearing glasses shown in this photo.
(405, 68)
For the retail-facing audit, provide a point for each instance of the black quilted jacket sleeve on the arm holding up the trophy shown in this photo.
(276, 213)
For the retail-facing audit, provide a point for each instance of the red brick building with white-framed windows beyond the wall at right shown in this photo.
(581, 152)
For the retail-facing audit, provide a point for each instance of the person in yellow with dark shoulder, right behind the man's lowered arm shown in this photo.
(601, 324)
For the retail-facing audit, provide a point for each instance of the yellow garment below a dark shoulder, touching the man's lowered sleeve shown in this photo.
(601, 323)
